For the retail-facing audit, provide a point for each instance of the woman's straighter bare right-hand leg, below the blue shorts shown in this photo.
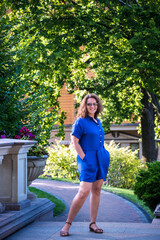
(94, 200)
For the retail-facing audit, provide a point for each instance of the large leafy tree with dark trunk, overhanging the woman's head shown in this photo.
(116, 40)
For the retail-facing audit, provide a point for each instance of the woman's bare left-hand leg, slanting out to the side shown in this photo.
(77, 203)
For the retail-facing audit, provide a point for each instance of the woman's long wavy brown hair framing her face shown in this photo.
(82, 111)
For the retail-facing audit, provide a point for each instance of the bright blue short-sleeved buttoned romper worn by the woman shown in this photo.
(95, 164)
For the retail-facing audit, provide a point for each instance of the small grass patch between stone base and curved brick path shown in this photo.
(59, 205)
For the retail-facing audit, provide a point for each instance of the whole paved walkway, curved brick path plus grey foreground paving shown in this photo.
(119, 218)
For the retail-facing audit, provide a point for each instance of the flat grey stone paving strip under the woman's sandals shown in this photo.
(43, 230)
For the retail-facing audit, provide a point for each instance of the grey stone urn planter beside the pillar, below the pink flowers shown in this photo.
(35, 166)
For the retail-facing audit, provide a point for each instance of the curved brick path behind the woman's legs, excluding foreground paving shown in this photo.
(112, 207)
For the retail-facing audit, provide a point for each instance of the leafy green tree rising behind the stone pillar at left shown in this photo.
(29, 94)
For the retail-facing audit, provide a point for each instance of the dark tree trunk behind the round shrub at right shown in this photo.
(148, 134)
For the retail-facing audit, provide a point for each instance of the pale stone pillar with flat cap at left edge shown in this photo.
(13, 173)
